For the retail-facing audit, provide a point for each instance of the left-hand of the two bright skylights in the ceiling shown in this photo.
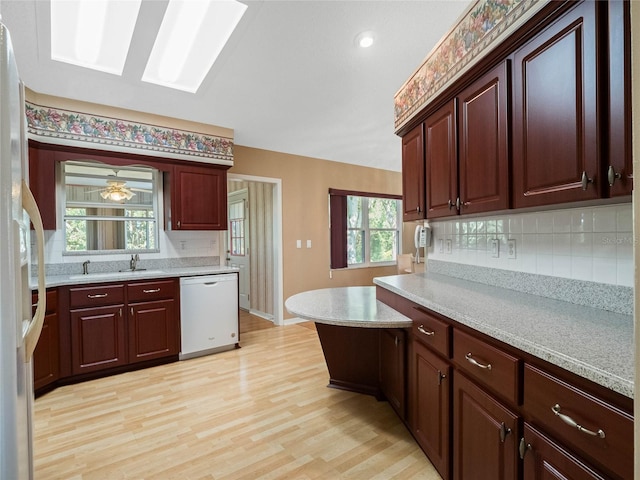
(93, 34)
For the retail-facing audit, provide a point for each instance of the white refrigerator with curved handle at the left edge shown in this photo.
(19, 332)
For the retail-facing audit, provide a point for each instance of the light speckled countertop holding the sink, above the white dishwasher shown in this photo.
(103, 277)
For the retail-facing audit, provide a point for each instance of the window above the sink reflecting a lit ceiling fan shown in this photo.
(109, 208)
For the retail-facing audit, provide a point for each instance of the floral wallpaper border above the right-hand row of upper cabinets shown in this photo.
(481, 28)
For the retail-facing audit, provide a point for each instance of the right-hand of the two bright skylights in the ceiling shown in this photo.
(192, 35)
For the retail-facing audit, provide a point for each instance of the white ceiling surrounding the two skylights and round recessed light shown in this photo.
(291, 79)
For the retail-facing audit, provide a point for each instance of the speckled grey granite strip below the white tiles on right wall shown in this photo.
(613, 298)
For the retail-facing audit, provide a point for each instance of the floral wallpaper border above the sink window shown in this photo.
(68, 125)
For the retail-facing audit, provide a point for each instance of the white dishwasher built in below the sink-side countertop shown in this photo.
(208, 314)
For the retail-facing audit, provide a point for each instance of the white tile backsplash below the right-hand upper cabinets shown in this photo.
(592, 243)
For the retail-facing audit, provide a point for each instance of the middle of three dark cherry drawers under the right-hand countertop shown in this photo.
(491, 366)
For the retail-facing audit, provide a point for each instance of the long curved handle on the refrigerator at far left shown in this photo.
(35, 326)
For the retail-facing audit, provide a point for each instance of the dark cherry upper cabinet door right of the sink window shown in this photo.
(198, 198)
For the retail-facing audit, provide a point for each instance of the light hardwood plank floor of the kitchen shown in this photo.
(260, 412)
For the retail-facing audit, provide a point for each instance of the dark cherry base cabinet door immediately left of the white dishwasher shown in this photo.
(153, 330)
